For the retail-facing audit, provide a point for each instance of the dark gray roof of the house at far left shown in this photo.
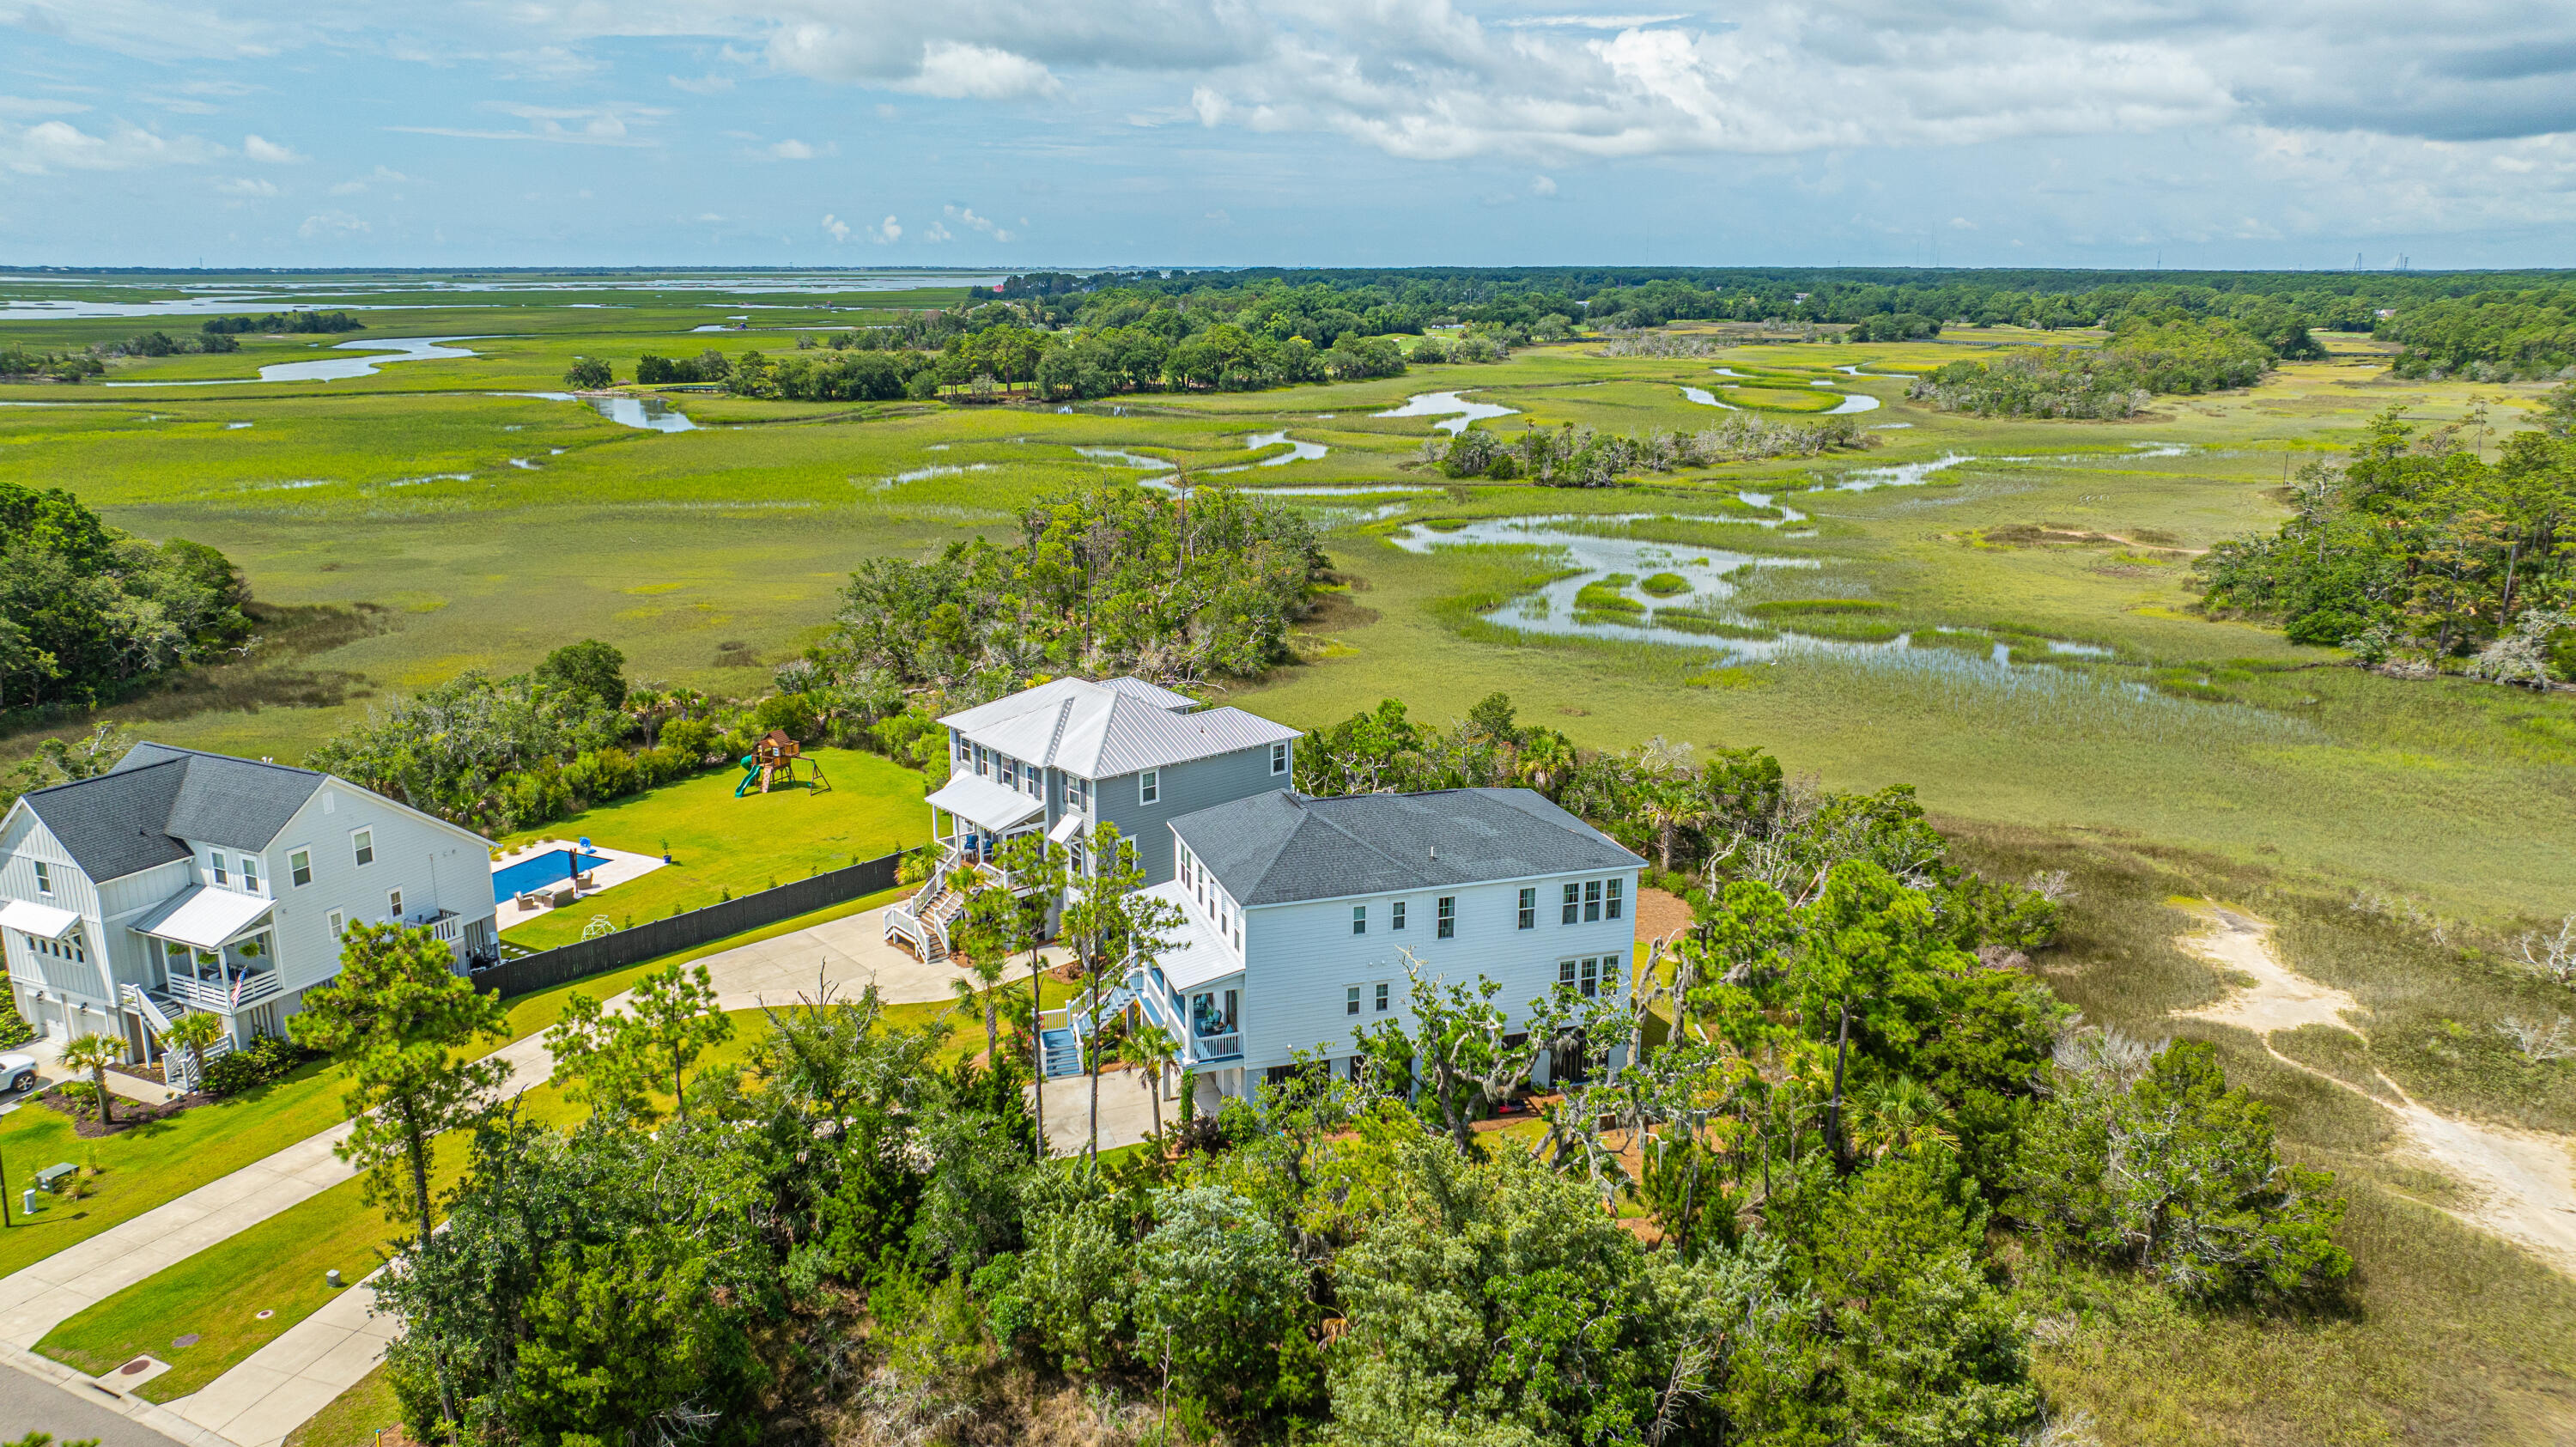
(143, 812)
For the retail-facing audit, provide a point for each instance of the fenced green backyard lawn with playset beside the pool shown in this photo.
(728, 846)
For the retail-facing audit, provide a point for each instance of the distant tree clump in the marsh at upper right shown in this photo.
(2142, 359)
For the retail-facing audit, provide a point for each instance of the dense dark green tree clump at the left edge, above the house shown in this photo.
(89, 614)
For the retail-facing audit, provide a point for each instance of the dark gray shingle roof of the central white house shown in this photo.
(1282, 848)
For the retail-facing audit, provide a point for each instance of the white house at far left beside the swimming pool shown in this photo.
(200, 882)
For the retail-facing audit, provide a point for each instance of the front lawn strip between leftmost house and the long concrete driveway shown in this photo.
(151, 1165)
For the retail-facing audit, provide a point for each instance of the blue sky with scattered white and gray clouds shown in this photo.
(1287, 133)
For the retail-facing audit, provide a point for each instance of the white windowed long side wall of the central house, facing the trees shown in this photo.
(1302, 959)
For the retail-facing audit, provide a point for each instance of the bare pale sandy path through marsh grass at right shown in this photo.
(2523, 1181)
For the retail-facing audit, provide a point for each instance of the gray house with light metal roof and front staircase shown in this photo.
(1068, 756)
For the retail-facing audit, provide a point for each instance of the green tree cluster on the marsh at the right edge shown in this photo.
(2425, 557)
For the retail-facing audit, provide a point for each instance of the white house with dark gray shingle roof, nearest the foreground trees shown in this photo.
(1300, 915)
